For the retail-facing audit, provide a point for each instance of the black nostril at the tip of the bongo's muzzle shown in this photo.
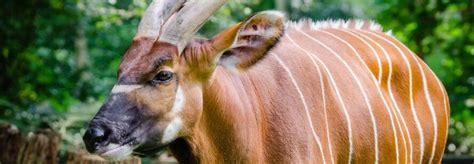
(94, 137)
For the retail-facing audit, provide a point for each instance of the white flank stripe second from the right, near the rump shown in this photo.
(412, 104)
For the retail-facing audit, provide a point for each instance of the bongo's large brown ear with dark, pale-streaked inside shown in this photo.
(247, 42)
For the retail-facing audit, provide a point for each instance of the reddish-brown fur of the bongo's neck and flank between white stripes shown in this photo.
(257, 116)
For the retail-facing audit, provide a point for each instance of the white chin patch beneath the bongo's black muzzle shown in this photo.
(116, 152)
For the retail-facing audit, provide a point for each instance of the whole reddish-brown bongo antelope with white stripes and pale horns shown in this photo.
(267, 90)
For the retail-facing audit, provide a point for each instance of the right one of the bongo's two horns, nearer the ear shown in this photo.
(187, 21)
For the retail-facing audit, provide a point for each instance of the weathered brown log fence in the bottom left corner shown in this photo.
(42, 146)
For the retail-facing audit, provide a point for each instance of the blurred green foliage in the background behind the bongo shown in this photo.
(59, 57)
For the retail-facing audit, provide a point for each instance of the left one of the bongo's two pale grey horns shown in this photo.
(156, 15)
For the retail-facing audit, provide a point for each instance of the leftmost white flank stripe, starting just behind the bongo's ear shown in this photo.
(295, 84)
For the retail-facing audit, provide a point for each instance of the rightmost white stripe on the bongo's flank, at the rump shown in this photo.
(430, 104)
